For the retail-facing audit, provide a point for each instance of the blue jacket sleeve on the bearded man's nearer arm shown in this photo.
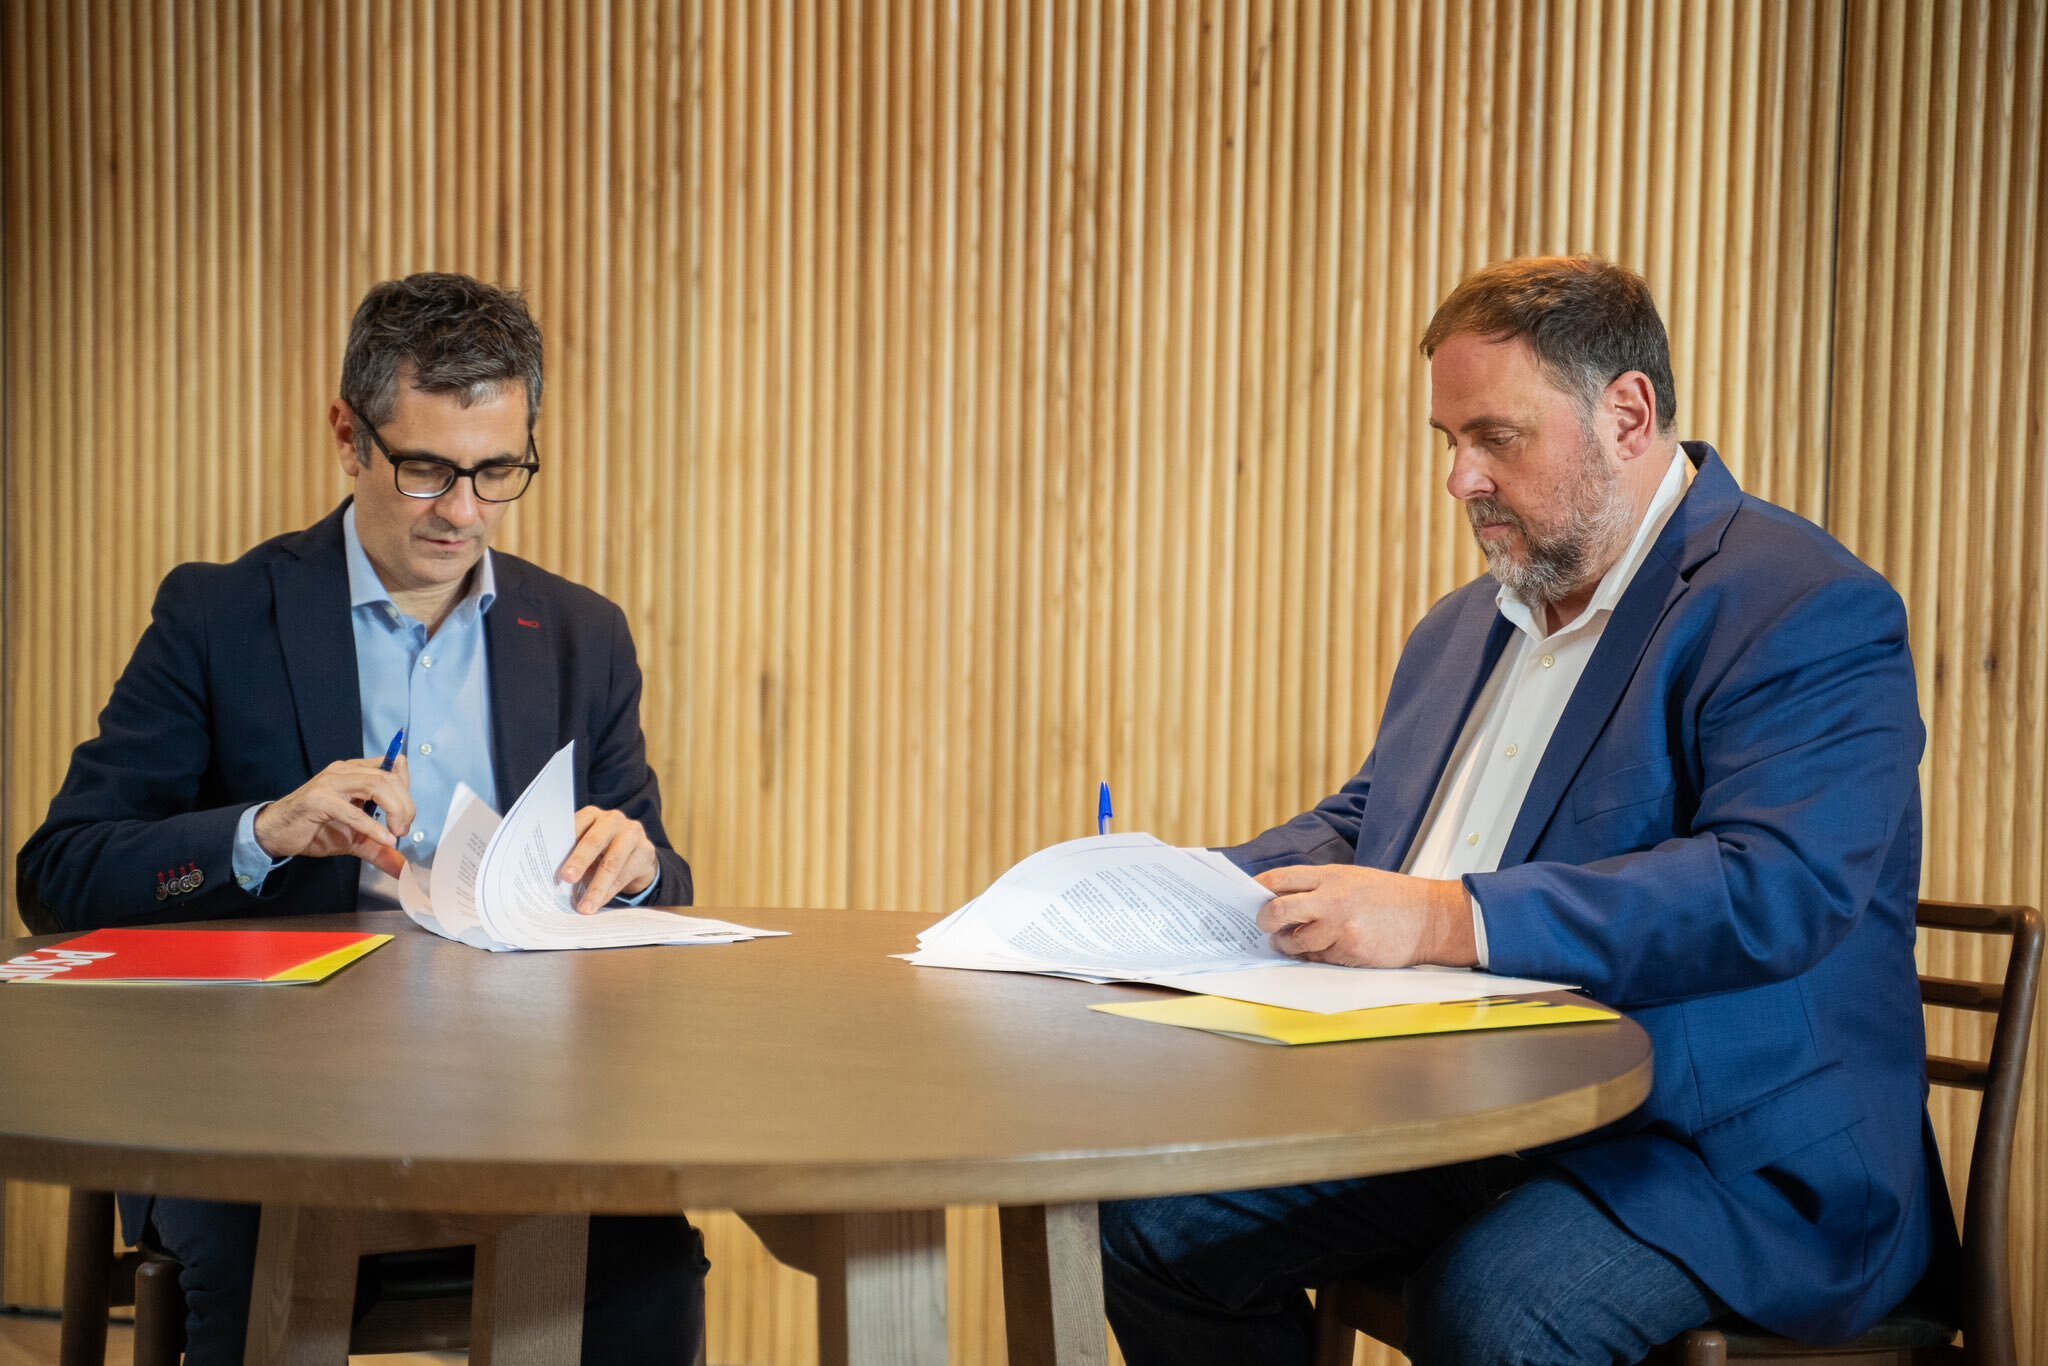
(1807, 775)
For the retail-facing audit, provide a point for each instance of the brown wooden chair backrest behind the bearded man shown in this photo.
(1988, 1316)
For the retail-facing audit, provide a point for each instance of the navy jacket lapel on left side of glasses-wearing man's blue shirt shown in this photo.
(310, 599)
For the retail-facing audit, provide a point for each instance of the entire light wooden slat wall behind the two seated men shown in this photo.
(970, 402)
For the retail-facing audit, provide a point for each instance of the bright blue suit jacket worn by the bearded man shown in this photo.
(1721, 839)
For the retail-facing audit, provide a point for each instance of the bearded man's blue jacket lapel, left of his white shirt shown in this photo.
(1410, 765)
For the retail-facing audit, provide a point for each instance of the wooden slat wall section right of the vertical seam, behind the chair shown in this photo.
(1938, 411)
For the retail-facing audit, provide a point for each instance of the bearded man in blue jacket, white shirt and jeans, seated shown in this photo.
(1666, 751)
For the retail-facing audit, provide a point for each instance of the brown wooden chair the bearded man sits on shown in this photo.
(1910, 1336)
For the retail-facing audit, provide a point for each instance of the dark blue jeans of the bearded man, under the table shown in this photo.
(1504, 1261)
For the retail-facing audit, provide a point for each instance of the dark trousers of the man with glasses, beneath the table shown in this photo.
(644, 1289)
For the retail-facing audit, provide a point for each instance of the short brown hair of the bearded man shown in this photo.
(1588, 321)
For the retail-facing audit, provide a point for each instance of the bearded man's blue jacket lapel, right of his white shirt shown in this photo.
(1689, 540)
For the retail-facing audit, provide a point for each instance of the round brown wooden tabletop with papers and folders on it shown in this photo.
(794, 1074)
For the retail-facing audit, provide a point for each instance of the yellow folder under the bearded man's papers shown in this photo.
(1306, 1027)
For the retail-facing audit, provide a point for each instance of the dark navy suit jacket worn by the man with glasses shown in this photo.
(245, 687)
